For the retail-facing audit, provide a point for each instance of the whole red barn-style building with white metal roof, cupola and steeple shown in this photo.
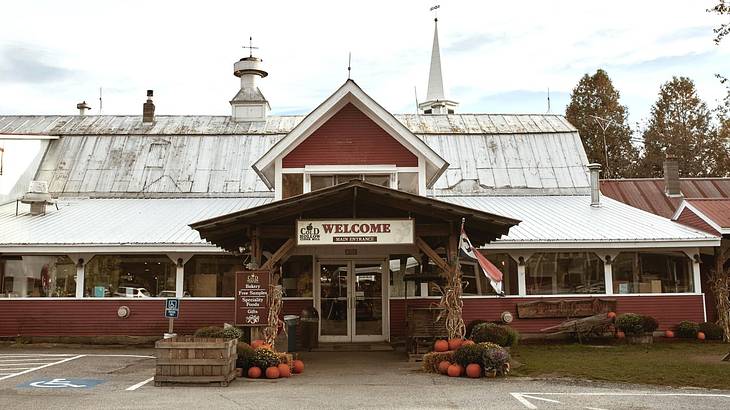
(128, 210)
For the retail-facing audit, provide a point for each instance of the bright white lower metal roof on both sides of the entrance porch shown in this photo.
(546, 221)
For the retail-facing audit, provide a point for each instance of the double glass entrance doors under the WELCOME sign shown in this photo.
(352, 304)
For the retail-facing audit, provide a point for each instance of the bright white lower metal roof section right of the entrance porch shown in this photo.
(555, 220)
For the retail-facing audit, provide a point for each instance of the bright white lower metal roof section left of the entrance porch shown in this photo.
(116, 221)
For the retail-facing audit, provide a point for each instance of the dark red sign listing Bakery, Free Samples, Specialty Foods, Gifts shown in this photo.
(252, 298)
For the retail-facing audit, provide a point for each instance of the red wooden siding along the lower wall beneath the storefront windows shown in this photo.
(99, 317)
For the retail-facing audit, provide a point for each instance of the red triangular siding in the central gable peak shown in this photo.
(349, 138)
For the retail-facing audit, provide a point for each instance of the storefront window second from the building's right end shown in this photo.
(564, 273)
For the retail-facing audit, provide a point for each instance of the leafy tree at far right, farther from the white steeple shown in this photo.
(680, 124)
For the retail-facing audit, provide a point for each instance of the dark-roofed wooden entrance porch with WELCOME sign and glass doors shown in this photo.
(353, 231)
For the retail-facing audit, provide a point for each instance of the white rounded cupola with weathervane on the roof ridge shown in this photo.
(249, 104)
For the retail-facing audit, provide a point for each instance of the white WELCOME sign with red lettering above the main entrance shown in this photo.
(355, 231)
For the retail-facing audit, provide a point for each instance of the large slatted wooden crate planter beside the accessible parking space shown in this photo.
(189, 359)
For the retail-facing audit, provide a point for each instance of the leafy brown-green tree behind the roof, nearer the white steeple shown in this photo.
(595, 111)
